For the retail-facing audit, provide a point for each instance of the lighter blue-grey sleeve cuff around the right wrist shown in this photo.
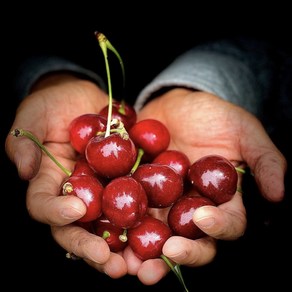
(237, 71)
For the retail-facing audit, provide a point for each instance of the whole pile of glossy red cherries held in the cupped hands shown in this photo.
(123, 176)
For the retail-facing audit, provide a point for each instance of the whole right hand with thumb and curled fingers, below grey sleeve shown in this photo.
(201, 124)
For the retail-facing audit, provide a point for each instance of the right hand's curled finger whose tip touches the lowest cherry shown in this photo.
(189, 252)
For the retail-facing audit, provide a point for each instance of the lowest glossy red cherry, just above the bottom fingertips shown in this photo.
(147, 239)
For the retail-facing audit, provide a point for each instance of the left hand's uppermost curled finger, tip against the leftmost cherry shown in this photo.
(46, 205)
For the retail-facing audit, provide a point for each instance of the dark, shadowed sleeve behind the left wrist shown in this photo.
(35, 67)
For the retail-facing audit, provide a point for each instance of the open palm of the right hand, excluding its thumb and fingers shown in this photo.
(199, 123)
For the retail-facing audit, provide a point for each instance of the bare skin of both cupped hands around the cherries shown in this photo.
(199, 123)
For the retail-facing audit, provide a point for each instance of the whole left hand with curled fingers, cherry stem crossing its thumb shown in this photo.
(54, 102)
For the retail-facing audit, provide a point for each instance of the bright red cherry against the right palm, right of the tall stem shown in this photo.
(150, 135)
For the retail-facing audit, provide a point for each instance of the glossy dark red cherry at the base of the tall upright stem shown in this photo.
(111, 156)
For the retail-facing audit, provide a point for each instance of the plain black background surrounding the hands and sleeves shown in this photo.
(147, 40)
